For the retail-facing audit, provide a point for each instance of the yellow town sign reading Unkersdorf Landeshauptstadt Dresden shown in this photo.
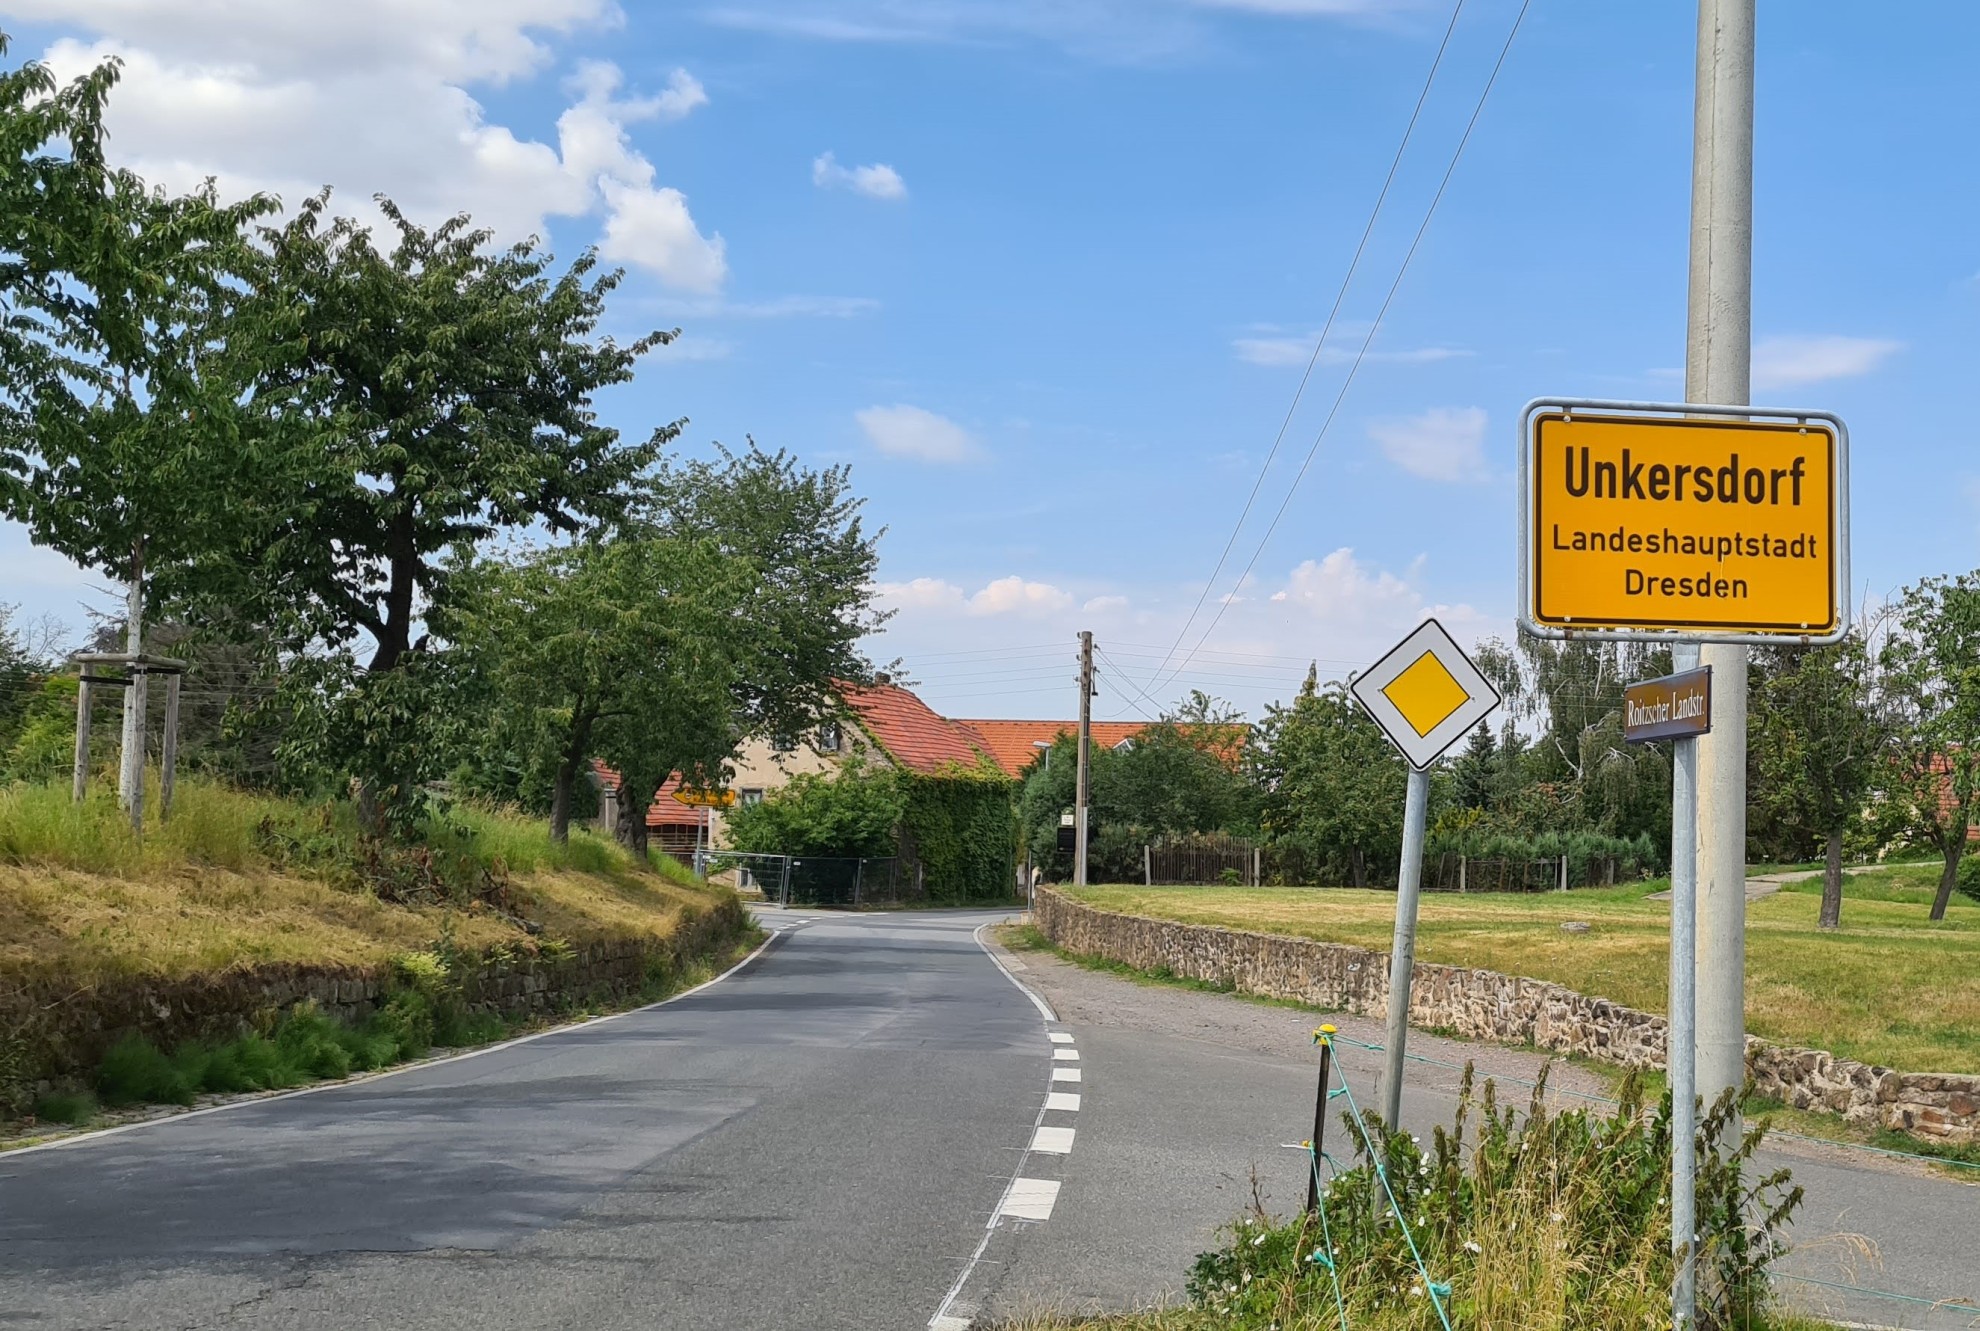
(1712, 524)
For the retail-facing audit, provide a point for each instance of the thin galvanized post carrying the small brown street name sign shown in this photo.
(1680, 1047)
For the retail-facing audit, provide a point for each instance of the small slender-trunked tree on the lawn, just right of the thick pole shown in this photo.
(1819, 736)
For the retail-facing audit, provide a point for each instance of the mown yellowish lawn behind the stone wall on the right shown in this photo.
(1888, 989)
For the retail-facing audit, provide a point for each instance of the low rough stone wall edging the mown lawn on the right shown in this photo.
(1484, 1005)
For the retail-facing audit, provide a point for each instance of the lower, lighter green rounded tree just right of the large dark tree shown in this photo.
(599, 649)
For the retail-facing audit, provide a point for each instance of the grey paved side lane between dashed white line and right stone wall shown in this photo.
(1189, 1098)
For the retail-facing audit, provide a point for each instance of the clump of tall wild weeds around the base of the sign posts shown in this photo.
(1539, 1221)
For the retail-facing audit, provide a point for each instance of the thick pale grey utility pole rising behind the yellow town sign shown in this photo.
(1718, 369)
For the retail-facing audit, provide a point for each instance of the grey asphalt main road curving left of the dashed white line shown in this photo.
(817, 1142)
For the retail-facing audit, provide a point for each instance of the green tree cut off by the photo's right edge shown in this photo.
(1931, 680)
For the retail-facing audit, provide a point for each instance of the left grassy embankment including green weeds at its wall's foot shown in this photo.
(245, 880)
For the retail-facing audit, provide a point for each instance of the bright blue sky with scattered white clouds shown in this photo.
(1046, 274)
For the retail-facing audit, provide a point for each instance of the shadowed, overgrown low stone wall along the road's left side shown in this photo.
(66, 1031)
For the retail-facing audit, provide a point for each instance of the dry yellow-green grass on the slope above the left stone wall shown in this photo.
(84, 902)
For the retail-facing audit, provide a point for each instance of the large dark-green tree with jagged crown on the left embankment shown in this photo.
(419, 399)
